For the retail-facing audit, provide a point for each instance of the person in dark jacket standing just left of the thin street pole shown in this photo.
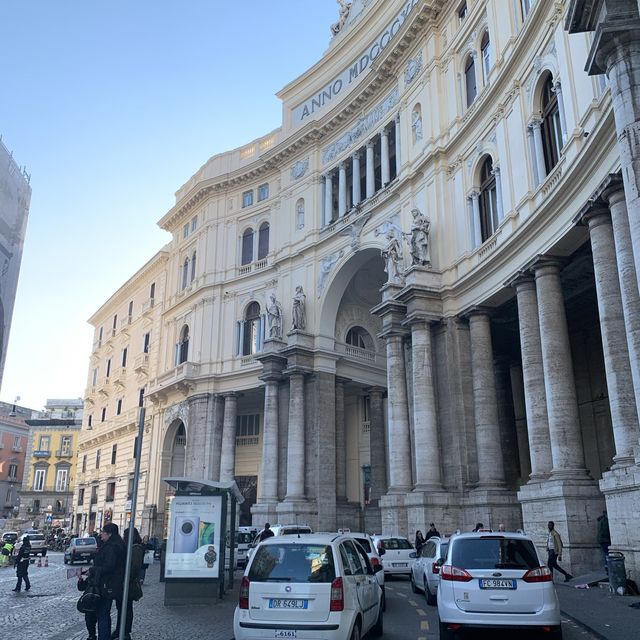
(108, 575)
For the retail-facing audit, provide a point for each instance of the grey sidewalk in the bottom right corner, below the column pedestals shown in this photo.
(606, 615)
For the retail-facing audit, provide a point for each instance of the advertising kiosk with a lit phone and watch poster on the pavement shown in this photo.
(194, 559)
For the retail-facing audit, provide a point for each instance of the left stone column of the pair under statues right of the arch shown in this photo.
(398, 408)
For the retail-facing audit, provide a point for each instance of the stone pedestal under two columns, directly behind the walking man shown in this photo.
(574, 505)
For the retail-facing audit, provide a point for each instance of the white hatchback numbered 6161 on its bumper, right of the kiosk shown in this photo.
(308, 586)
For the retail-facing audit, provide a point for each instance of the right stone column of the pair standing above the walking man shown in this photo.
(567, 451)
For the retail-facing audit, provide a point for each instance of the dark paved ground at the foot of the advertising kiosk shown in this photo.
(153, 621)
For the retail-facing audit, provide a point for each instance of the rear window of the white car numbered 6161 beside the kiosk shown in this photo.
(293, 563)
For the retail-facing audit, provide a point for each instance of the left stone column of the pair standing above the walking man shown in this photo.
(533, 375)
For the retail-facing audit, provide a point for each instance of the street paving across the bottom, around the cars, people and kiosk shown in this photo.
(48, 611)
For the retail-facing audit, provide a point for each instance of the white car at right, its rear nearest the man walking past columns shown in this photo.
(496, 580)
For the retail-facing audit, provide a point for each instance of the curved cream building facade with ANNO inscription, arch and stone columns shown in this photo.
(416, 300)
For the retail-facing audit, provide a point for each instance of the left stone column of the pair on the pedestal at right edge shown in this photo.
(614, 339)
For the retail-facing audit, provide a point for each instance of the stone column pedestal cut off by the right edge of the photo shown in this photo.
(621, 489)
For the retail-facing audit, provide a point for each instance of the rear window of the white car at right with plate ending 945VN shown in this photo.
(494, 553)
